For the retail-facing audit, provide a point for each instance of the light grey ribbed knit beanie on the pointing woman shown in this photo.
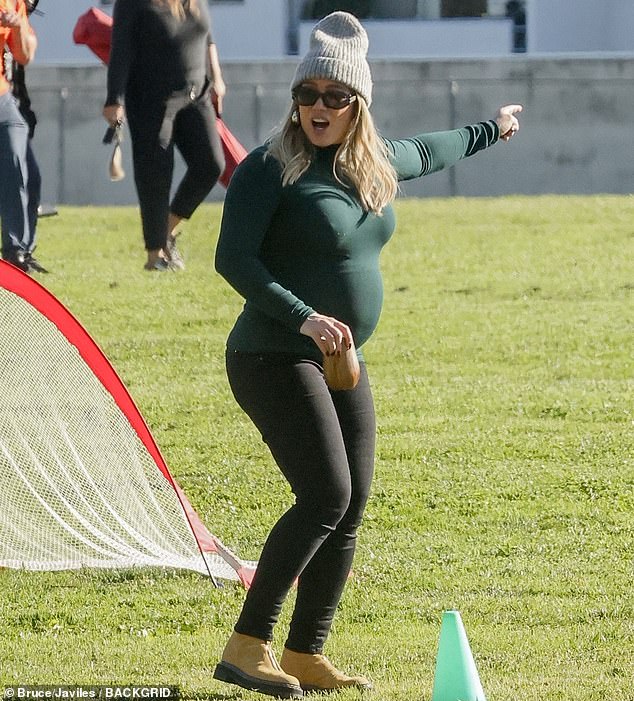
(338, 50)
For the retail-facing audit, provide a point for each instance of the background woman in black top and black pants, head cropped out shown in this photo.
(162, 63)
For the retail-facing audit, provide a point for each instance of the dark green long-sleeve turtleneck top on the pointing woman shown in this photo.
(311, 247)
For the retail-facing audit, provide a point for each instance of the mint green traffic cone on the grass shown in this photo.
(456, 677)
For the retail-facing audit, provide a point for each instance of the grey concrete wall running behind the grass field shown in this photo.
(574, 139)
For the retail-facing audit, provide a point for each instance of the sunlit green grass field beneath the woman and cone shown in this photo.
(503, 372)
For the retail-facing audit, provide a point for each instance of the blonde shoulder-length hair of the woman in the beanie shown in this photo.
(362, 160)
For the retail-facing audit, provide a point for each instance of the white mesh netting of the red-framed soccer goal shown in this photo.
(78, 486)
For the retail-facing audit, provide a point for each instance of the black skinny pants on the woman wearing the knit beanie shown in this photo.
(323, 442)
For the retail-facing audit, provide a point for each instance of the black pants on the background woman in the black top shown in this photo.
(156, 128)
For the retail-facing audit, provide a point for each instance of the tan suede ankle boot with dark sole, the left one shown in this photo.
(250, 663)
